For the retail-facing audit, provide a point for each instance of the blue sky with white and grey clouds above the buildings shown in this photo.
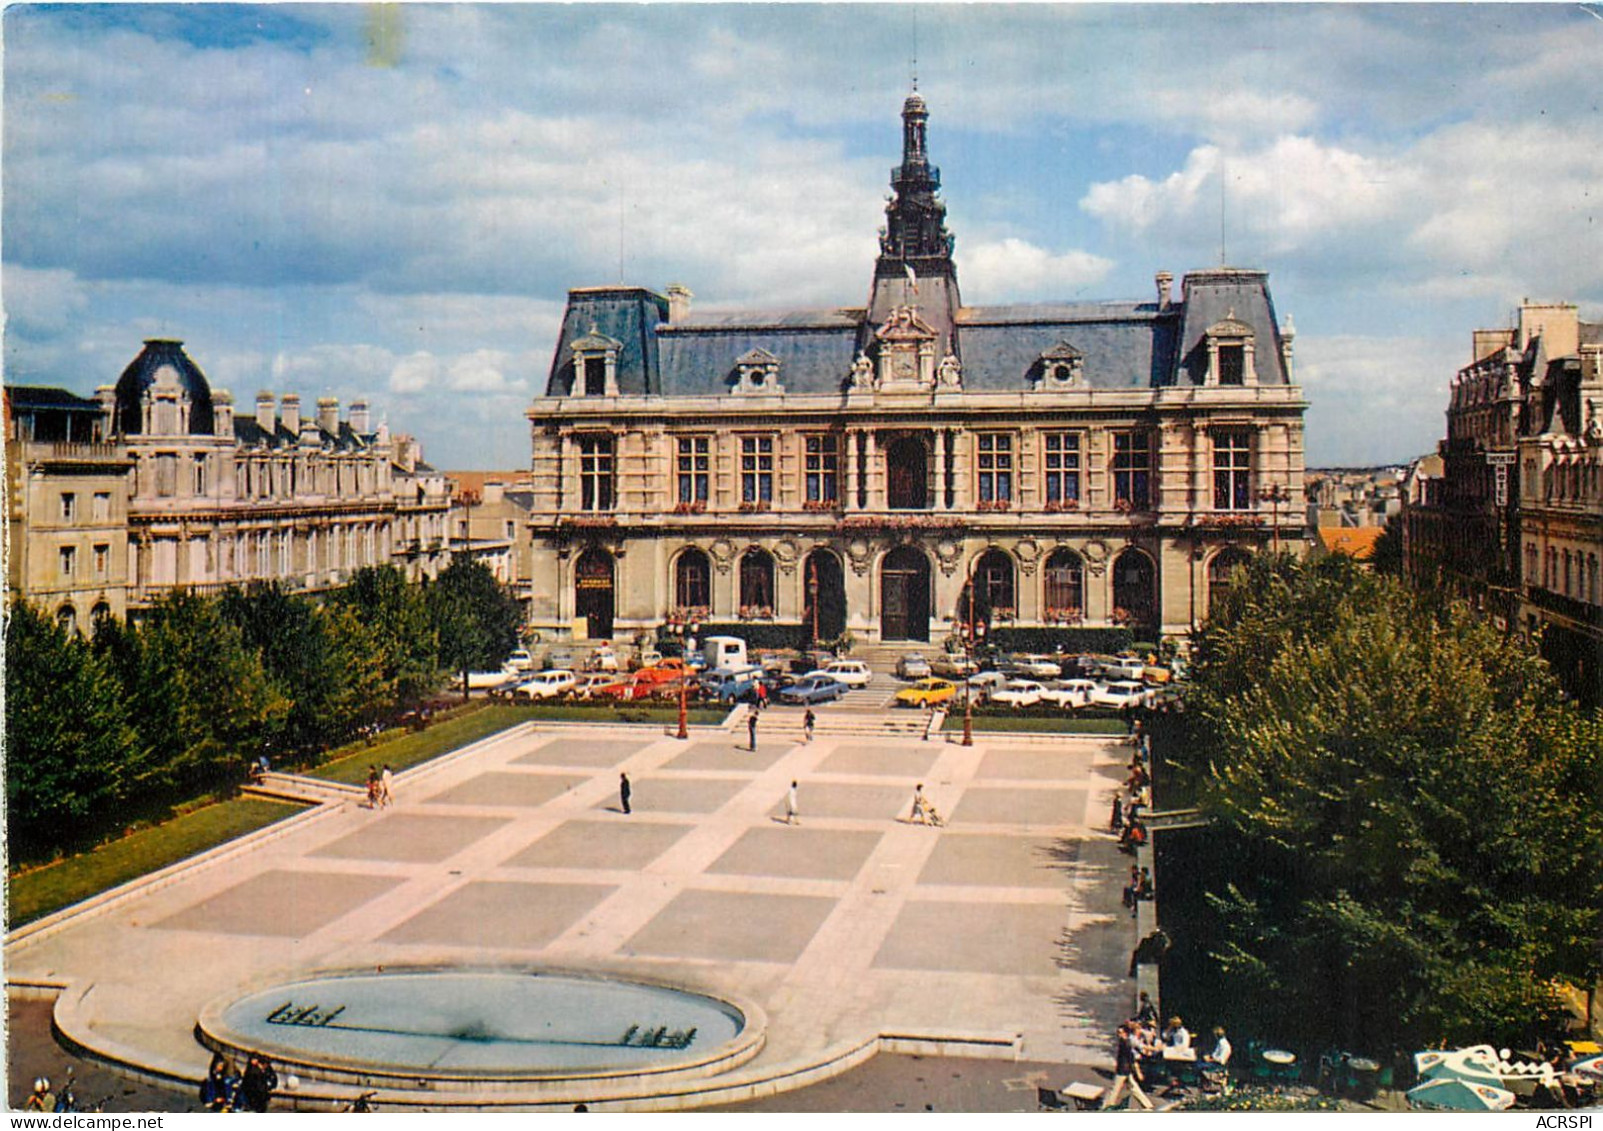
(392, 203)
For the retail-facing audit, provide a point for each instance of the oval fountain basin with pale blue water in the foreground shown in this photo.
(480, 1026)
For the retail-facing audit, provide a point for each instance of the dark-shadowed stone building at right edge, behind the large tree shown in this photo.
(1514, 521)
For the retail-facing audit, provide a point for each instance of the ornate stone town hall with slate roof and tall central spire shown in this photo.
(1086, 464)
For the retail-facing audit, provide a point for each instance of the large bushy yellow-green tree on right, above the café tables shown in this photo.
(1413, 815)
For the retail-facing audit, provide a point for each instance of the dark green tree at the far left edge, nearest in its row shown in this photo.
(68, 739)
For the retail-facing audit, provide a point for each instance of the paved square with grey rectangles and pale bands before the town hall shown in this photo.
(850, 925)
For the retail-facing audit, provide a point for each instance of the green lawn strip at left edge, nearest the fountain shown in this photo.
(79, 877)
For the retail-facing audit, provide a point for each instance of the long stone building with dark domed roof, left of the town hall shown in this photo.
(171, 489)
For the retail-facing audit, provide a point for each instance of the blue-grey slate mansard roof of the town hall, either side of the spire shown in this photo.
(1123, 345)
